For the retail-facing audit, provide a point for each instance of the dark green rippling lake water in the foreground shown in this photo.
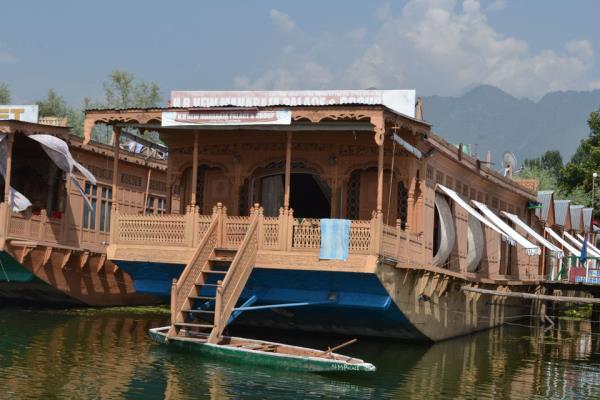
(106, 354)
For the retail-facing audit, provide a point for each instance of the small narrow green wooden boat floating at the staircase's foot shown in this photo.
(268, 354)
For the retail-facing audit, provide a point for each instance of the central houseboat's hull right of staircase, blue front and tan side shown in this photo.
(391, 303)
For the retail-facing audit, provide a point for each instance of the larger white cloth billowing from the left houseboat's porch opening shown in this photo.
(58, 151)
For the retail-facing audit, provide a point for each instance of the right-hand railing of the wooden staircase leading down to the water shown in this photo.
(239, 271)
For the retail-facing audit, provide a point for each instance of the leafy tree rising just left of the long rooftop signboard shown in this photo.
(122, 91)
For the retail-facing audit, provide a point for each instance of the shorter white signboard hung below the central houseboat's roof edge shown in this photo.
(226, 117)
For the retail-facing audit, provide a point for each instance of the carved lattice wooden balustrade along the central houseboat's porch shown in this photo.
(283, 233)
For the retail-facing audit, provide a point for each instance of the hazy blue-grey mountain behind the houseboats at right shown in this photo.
(497, 121)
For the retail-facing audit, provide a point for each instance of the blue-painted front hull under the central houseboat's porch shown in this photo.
(344, 302)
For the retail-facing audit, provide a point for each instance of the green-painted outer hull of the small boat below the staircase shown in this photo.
(260, 358)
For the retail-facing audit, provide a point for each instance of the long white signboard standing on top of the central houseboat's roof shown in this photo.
(402, 101)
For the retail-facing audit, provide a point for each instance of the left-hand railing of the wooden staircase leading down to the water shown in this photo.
(182, 290)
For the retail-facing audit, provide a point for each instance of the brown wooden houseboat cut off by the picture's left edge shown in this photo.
(54, 250)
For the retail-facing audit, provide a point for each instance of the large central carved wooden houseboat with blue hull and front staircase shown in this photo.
(325, 211)
